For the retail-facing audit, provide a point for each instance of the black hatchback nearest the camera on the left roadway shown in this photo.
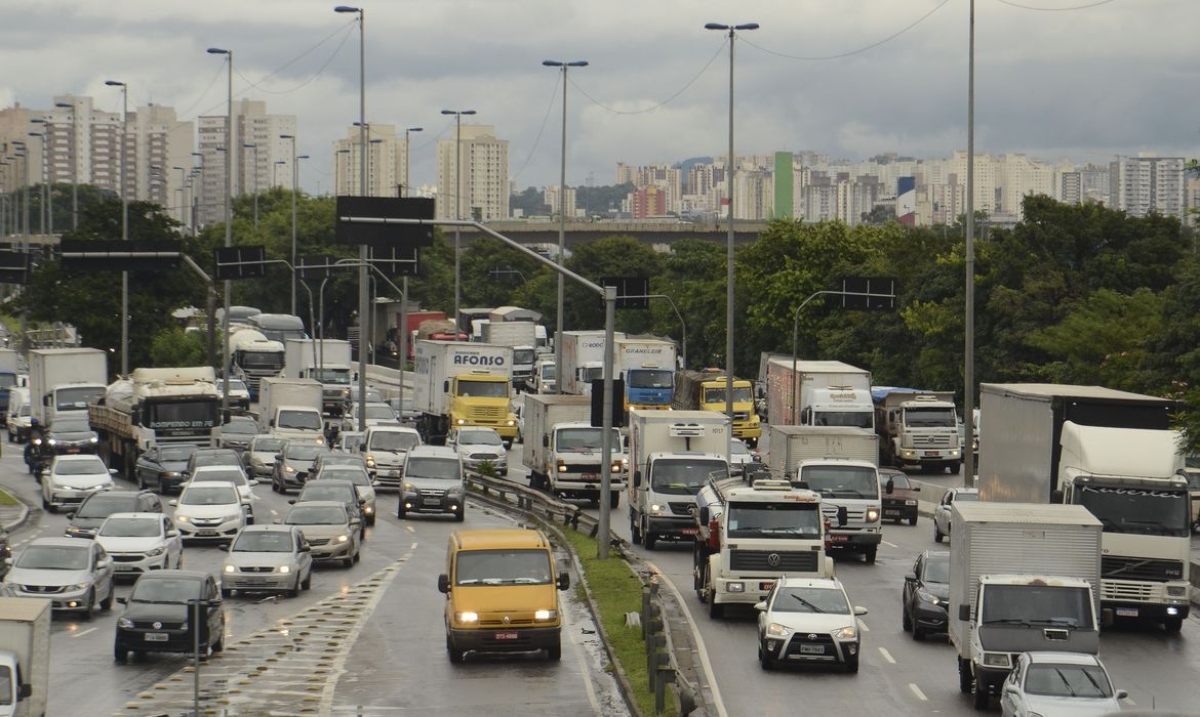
(159, 614)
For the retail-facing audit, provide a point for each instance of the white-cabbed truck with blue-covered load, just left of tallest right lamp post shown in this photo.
(917, 429)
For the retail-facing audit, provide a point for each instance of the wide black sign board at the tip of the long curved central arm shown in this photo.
(364, 221)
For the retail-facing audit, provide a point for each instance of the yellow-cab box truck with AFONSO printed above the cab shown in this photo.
(464, 384)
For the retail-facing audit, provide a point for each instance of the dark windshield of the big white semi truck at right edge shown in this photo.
(1138, 511)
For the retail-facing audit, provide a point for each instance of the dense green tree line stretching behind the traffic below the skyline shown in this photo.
(1072, 294)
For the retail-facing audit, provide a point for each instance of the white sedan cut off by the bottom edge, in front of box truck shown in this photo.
(1059, 684)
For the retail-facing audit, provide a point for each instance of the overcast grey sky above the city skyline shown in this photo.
(1085, 80)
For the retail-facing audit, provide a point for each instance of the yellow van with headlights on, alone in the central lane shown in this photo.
(501, 593)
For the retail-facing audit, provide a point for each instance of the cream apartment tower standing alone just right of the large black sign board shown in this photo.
(482, 174)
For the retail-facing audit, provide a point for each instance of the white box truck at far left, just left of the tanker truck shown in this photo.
(65, 381)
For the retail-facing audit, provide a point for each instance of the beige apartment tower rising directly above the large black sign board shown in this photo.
(387, 158)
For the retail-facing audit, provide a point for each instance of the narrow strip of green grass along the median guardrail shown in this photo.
(617, 591)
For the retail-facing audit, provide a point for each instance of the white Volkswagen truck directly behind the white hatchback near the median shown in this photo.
(749, 535)
